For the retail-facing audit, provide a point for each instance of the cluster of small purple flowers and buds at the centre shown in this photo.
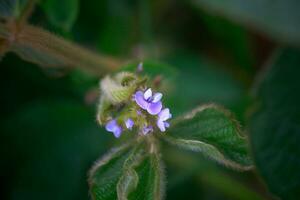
(146, 112)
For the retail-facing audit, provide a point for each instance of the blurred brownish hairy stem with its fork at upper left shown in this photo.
(46, 49)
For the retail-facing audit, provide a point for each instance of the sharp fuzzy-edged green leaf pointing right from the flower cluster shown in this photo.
(211, 130)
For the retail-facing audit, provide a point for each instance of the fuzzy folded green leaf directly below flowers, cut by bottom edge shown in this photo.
(127, 173)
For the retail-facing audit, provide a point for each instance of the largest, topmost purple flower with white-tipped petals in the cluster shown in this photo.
(149, 102)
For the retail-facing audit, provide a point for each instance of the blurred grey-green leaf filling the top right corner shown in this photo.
(278, 19)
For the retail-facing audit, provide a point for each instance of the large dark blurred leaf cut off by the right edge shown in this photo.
(275, 125)
